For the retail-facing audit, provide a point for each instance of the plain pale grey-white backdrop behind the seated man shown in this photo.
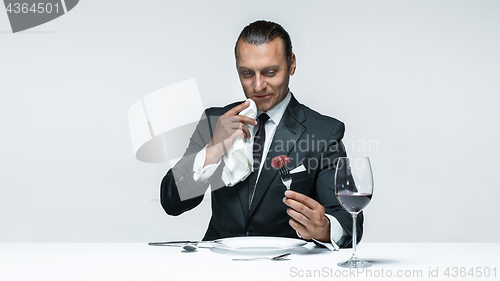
(416, 82)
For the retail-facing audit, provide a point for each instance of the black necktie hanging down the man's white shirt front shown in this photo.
(258, 147)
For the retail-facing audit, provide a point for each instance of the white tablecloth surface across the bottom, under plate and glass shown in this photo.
(138, 261)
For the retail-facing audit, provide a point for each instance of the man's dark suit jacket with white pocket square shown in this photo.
(307, 137)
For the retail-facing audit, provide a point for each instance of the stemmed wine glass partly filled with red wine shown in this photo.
(354, 189)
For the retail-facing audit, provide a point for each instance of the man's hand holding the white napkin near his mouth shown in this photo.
(228, 128)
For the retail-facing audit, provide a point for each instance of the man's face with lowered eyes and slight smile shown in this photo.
(263, 72)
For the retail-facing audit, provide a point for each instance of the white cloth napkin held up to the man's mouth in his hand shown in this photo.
(239, 157)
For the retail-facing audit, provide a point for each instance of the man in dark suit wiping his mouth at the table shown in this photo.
(255, 206)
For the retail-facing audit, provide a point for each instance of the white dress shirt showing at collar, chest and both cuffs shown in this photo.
(204, 174)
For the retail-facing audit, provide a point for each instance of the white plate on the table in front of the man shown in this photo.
(257, 245)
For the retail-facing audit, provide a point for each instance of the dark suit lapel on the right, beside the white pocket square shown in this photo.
(288, 131)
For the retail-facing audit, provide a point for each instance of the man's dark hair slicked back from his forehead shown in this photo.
(261, 32)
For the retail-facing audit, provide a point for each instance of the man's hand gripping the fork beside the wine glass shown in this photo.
(307, 216)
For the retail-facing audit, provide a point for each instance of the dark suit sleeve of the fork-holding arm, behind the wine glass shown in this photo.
(326, 190)
